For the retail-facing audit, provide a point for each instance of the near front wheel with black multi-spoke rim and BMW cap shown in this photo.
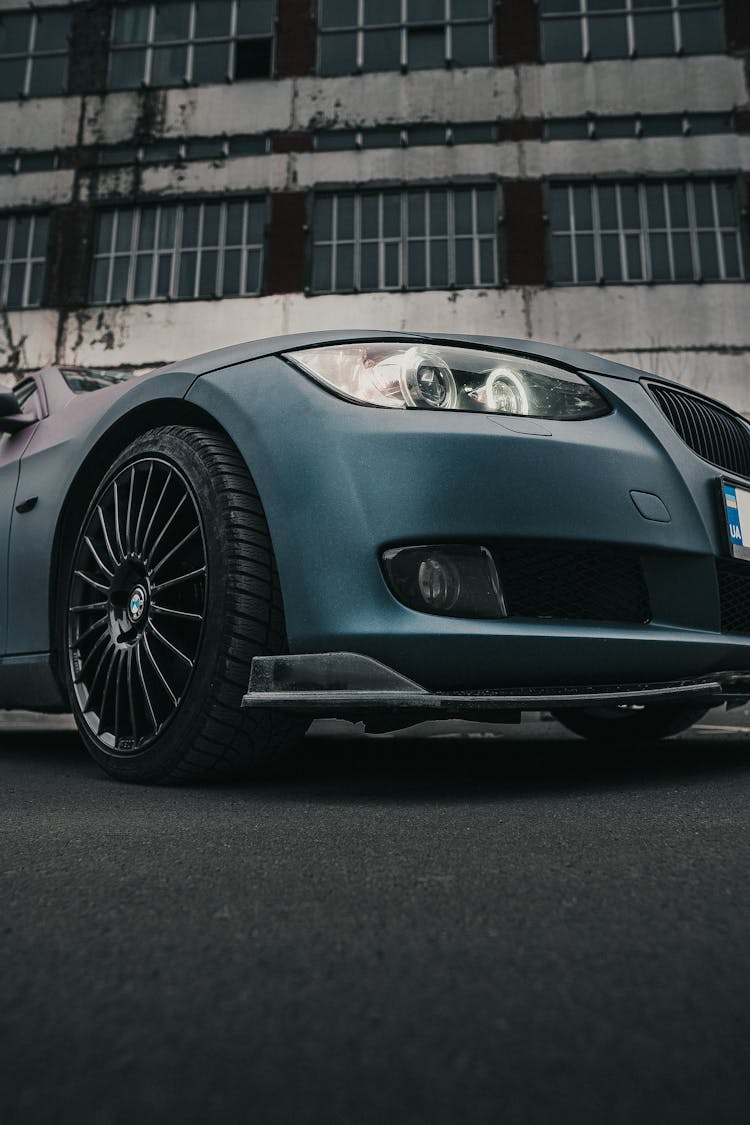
(157, 687)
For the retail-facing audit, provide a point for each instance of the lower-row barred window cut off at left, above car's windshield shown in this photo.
(23, 258)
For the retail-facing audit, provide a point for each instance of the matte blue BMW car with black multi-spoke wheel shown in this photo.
(369, 526)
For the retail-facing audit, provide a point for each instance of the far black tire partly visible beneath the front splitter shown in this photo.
(630, 723)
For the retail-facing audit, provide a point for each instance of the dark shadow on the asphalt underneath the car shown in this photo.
(534, 761)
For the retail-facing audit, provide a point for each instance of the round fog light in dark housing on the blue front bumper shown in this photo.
(454, 580)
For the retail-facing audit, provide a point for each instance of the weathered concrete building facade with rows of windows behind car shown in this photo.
(184, 176)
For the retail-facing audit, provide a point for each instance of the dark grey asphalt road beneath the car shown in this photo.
(508, 929)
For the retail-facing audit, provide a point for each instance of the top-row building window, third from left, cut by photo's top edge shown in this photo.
(377, 35)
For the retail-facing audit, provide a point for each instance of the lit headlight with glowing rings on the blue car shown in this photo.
(444, 379)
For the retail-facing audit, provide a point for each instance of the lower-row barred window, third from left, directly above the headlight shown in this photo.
(415, 239)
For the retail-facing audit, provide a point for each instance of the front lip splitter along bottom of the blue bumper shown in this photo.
(336, 685)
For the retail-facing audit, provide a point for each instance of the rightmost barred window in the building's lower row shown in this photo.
(658, 231)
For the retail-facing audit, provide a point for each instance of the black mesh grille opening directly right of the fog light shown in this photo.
(544, 580)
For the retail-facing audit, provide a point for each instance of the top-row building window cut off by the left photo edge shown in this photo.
(33, 53)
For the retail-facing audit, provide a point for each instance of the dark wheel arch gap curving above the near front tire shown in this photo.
(97, 462)
